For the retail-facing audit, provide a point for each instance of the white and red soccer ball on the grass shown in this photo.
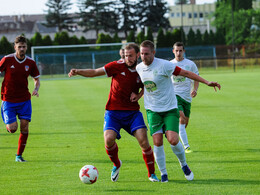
(88, 174)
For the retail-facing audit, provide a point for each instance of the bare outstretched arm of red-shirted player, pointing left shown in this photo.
(87, 72)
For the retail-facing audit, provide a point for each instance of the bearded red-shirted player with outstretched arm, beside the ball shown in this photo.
(122, 108)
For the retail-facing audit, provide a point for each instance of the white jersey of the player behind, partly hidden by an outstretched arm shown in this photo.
(183, 85)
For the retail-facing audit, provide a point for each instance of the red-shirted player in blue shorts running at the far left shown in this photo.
(15, 95)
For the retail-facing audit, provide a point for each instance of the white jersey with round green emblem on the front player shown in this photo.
(159, 93)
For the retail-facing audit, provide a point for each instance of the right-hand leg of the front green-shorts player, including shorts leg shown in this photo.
(171, 121)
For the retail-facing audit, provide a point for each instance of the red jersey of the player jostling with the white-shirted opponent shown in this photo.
(124, 82)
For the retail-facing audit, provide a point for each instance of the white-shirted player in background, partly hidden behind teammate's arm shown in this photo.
(184, 91)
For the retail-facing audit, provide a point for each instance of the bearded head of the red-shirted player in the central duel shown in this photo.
(132, 54)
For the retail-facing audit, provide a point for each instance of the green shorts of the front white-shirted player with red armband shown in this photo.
(166, 121)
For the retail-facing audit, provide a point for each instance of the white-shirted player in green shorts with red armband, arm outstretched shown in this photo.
(161, 105)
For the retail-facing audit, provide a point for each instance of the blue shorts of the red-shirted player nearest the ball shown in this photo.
(130, 121)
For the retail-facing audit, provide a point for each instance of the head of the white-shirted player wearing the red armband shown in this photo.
(147, 52)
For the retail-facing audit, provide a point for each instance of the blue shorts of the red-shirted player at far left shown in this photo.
(10, 110)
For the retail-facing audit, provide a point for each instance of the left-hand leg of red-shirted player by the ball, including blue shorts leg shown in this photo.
(111, 133)
